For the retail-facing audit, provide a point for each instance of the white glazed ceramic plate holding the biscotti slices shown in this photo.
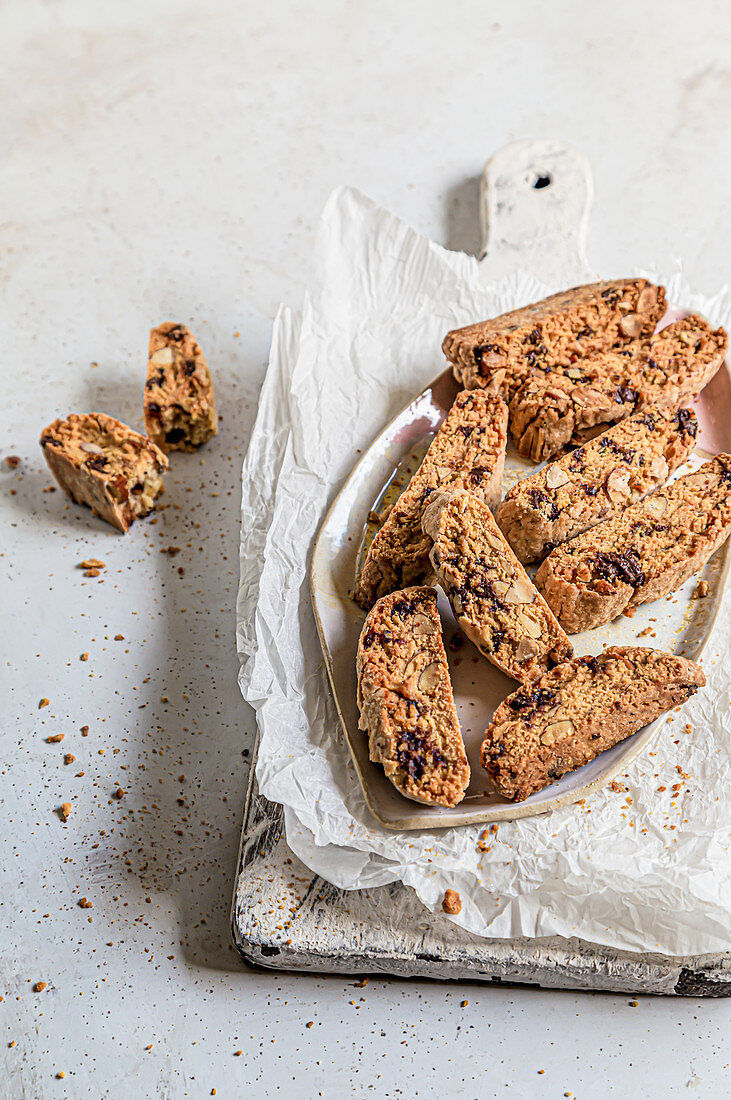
(679, 623)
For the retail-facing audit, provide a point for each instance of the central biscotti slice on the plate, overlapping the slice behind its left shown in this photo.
(494, 600)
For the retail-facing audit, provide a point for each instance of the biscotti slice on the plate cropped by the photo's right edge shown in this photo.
(645, 553)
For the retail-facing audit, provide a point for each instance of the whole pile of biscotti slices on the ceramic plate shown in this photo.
(589, 380)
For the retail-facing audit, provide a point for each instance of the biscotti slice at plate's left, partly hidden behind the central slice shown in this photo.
(468, 453)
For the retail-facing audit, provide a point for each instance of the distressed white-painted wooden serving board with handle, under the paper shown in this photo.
(535, 211)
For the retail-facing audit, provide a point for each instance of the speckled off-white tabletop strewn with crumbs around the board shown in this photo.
(167, 159)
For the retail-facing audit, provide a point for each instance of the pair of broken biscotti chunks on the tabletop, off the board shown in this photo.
(117, 472)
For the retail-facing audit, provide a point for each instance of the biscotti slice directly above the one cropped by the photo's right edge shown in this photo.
(596, 481)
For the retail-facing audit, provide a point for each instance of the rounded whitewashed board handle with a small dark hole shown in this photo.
(535, 211)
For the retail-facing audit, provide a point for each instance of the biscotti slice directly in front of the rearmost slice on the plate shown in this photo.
(552, 411)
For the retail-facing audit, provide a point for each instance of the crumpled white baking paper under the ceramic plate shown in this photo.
(634, 870)
